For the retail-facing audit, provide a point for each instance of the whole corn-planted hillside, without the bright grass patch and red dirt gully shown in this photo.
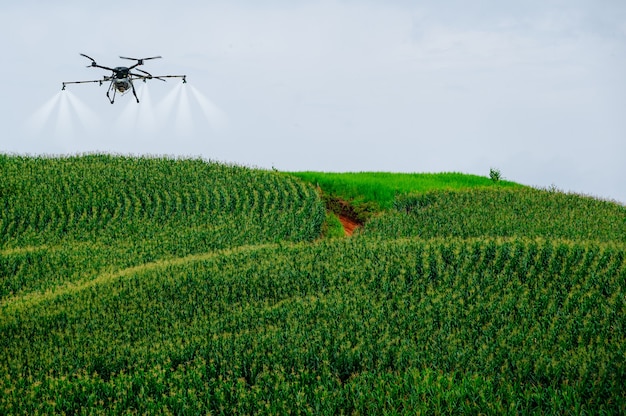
(152, 285)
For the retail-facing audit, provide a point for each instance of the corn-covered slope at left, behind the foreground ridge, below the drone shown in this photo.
(67, 219)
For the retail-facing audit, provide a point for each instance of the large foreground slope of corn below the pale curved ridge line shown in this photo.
(343, 326)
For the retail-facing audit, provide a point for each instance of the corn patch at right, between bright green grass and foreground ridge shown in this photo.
(501, 212)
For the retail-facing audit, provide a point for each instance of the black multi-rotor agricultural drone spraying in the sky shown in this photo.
(122, 77)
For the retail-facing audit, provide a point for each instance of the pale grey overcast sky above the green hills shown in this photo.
(536, 89)
